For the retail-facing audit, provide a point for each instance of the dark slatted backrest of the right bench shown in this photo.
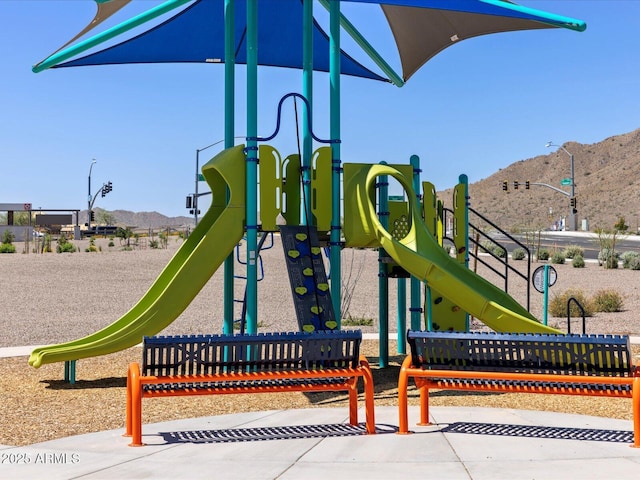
(606, 355)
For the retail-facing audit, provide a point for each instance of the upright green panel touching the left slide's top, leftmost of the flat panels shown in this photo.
(270, 187)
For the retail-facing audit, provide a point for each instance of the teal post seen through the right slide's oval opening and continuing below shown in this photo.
(383, 280)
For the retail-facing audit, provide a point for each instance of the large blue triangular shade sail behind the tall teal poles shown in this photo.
(196, 34)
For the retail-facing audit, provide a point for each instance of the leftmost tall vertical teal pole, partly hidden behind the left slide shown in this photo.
(229, 133)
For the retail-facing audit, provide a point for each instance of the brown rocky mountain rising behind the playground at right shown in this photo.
(607, 187)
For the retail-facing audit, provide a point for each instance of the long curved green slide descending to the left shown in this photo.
(214, 238)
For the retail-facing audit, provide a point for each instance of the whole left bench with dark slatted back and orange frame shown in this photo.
(259, 363)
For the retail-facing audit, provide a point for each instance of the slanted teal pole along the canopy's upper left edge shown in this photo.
(85, 45)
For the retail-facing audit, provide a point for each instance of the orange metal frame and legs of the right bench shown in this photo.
(428, 379)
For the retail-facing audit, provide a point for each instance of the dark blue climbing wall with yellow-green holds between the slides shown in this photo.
(308, 279)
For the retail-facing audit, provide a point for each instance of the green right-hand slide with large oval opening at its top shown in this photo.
(420, 254)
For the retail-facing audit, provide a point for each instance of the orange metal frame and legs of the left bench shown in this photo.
(135, 392)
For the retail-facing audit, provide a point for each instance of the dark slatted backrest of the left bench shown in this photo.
(212, 354)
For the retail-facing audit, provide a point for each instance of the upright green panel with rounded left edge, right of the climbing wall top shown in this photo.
(321, 199)
